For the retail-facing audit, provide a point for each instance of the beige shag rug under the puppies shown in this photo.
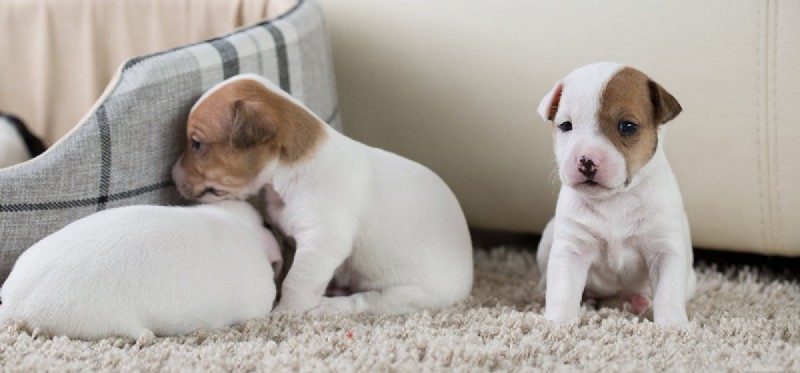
(743, 320)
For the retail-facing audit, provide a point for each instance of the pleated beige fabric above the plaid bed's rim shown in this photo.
(58, 55)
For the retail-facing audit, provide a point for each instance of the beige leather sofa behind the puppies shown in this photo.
(454, 84)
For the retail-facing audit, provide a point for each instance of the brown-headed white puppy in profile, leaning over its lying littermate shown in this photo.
(385, 228)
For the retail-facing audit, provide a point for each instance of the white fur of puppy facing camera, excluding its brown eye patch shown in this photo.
(632, 238)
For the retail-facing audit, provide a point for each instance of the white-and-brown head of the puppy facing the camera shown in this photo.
(606, 121)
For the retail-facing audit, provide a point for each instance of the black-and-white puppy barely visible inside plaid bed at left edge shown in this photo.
(17, 142)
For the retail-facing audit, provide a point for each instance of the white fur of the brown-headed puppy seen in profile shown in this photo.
(385, 227)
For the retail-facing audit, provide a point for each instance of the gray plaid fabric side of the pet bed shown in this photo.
(122, 154)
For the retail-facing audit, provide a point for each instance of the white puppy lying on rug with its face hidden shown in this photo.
(170, 270)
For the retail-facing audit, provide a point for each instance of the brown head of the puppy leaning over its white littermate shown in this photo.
(237, 133)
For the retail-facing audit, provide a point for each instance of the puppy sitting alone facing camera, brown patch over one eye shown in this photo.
(619, 229)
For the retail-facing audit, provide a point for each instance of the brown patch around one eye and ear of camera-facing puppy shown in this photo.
(630, 96)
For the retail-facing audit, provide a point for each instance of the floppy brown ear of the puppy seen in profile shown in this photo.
(251, 126)
